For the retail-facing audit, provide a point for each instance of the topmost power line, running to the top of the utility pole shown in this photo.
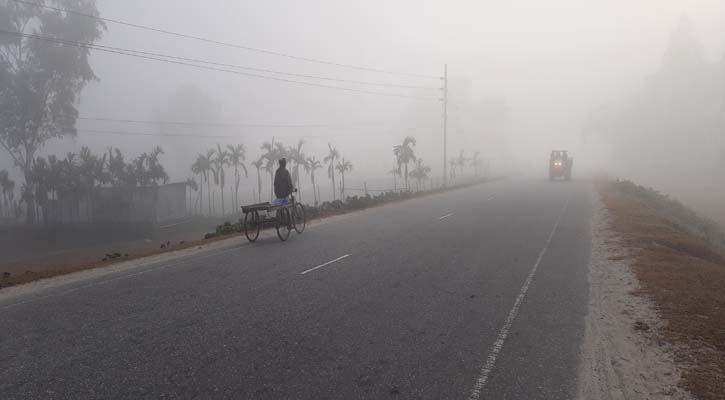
(212, 41)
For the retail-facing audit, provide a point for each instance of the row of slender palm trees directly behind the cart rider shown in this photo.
(210, 168)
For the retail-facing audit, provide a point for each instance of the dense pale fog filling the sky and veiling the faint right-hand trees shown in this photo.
(635, 89)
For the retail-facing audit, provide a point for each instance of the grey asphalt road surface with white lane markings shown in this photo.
(478, 293)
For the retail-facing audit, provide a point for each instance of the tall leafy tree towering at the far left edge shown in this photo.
(40, 82)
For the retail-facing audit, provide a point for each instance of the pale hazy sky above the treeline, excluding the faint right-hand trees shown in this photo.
(549, 62)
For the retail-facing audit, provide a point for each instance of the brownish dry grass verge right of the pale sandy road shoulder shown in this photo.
(680, 264)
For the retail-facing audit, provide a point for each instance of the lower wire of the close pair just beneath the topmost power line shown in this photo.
(132, 54)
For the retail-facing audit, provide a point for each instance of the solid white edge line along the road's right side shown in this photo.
(503, 334)
